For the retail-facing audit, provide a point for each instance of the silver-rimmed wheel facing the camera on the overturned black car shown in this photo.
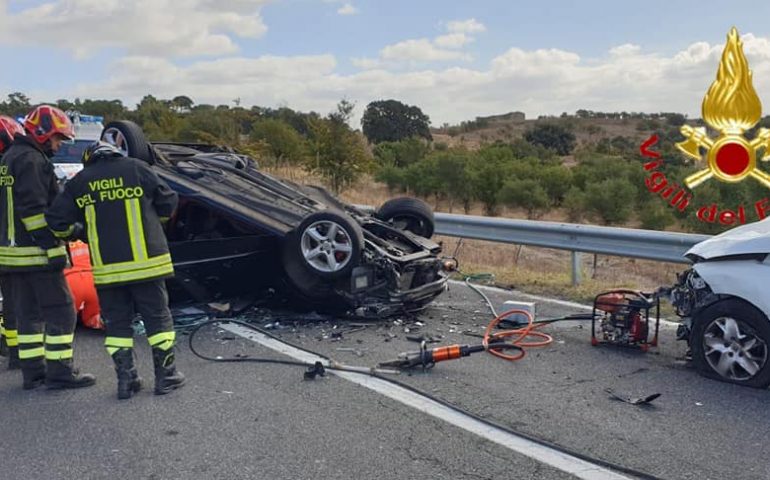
(327, 245)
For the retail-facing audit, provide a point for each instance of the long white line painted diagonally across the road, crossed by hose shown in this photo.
(559, 460)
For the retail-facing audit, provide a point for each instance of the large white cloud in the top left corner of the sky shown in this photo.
(141, 27)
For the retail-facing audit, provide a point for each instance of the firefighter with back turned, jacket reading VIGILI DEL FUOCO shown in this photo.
(122, 205)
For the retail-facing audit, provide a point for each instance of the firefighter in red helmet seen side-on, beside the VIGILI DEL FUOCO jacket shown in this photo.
(33, 258)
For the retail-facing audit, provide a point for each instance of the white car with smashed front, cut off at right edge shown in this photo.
(724, 300)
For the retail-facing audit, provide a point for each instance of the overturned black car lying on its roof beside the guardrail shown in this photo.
(239, 231)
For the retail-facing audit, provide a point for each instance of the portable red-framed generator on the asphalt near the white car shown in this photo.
(622, 317)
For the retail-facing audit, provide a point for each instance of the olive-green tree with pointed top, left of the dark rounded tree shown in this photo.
(339, 154)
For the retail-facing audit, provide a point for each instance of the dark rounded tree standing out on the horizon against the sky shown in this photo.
(391, 121)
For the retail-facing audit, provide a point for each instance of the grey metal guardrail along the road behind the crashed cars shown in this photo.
(623, 242)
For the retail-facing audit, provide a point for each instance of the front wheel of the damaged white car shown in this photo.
(731, 342)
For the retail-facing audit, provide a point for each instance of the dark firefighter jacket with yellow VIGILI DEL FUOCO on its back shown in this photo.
(121, 202)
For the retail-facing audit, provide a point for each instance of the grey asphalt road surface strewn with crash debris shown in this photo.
(264, 421)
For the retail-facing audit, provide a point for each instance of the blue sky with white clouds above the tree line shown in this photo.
(455, 59)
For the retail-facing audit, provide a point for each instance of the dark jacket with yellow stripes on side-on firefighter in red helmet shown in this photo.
(27, 187)
